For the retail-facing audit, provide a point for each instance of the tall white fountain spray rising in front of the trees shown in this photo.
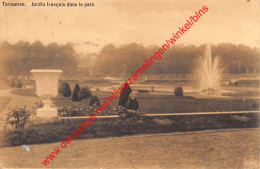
(209, 73)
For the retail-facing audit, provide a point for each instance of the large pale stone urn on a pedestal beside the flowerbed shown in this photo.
(46, 88)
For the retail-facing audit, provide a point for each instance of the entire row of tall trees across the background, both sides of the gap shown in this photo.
(20, 58)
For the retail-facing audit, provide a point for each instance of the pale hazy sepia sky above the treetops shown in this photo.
(125, 21)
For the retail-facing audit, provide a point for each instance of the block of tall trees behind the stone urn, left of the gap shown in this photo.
(20, 58)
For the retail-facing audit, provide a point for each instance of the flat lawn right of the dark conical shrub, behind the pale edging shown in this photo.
(173, 104)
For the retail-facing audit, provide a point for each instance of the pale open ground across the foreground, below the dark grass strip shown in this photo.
(233, 149)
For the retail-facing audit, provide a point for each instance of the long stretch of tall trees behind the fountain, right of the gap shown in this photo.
(179, 59)
